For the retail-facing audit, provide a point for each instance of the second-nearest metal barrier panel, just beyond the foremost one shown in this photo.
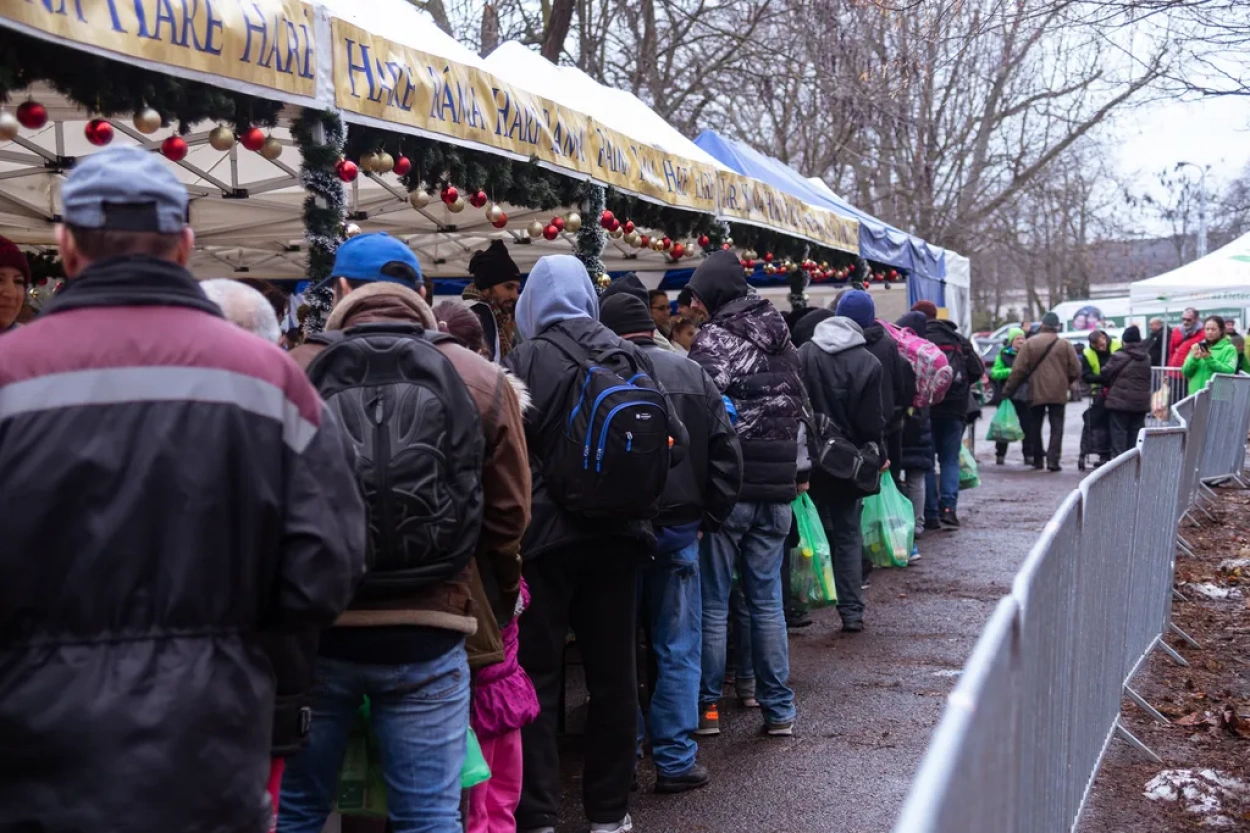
(1046, 588)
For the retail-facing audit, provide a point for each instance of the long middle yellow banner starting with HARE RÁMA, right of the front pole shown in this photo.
(377, 78)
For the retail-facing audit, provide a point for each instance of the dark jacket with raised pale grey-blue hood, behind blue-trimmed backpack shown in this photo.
(559, 297)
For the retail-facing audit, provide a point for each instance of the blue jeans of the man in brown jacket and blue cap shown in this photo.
(421, 717)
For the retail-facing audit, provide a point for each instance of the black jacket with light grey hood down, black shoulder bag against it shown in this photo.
(847, 386)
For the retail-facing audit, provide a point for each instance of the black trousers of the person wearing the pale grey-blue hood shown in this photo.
(594, 588)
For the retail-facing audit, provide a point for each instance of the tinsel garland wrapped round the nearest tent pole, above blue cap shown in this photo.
(324, 206)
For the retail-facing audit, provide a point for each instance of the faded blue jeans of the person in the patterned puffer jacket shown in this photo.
(752, 540)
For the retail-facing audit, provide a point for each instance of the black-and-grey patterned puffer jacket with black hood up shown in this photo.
(746, 348)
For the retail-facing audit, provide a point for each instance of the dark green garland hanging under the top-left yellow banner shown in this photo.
(109, 88)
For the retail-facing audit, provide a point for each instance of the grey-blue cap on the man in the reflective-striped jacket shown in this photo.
(124, 189)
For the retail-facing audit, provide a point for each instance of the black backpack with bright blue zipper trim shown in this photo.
(607, 453)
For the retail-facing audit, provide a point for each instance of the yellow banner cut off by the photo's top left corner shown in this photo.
(268, 43)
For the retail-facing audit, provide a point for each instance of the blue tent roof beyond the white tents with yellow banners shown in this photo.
(879, 241)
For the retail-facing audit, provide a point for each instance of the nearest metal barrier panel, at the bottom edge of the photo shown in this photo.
(968, 779)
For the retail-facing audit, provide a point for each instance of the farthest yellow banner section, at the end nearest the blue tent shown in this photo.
(748, 199)
